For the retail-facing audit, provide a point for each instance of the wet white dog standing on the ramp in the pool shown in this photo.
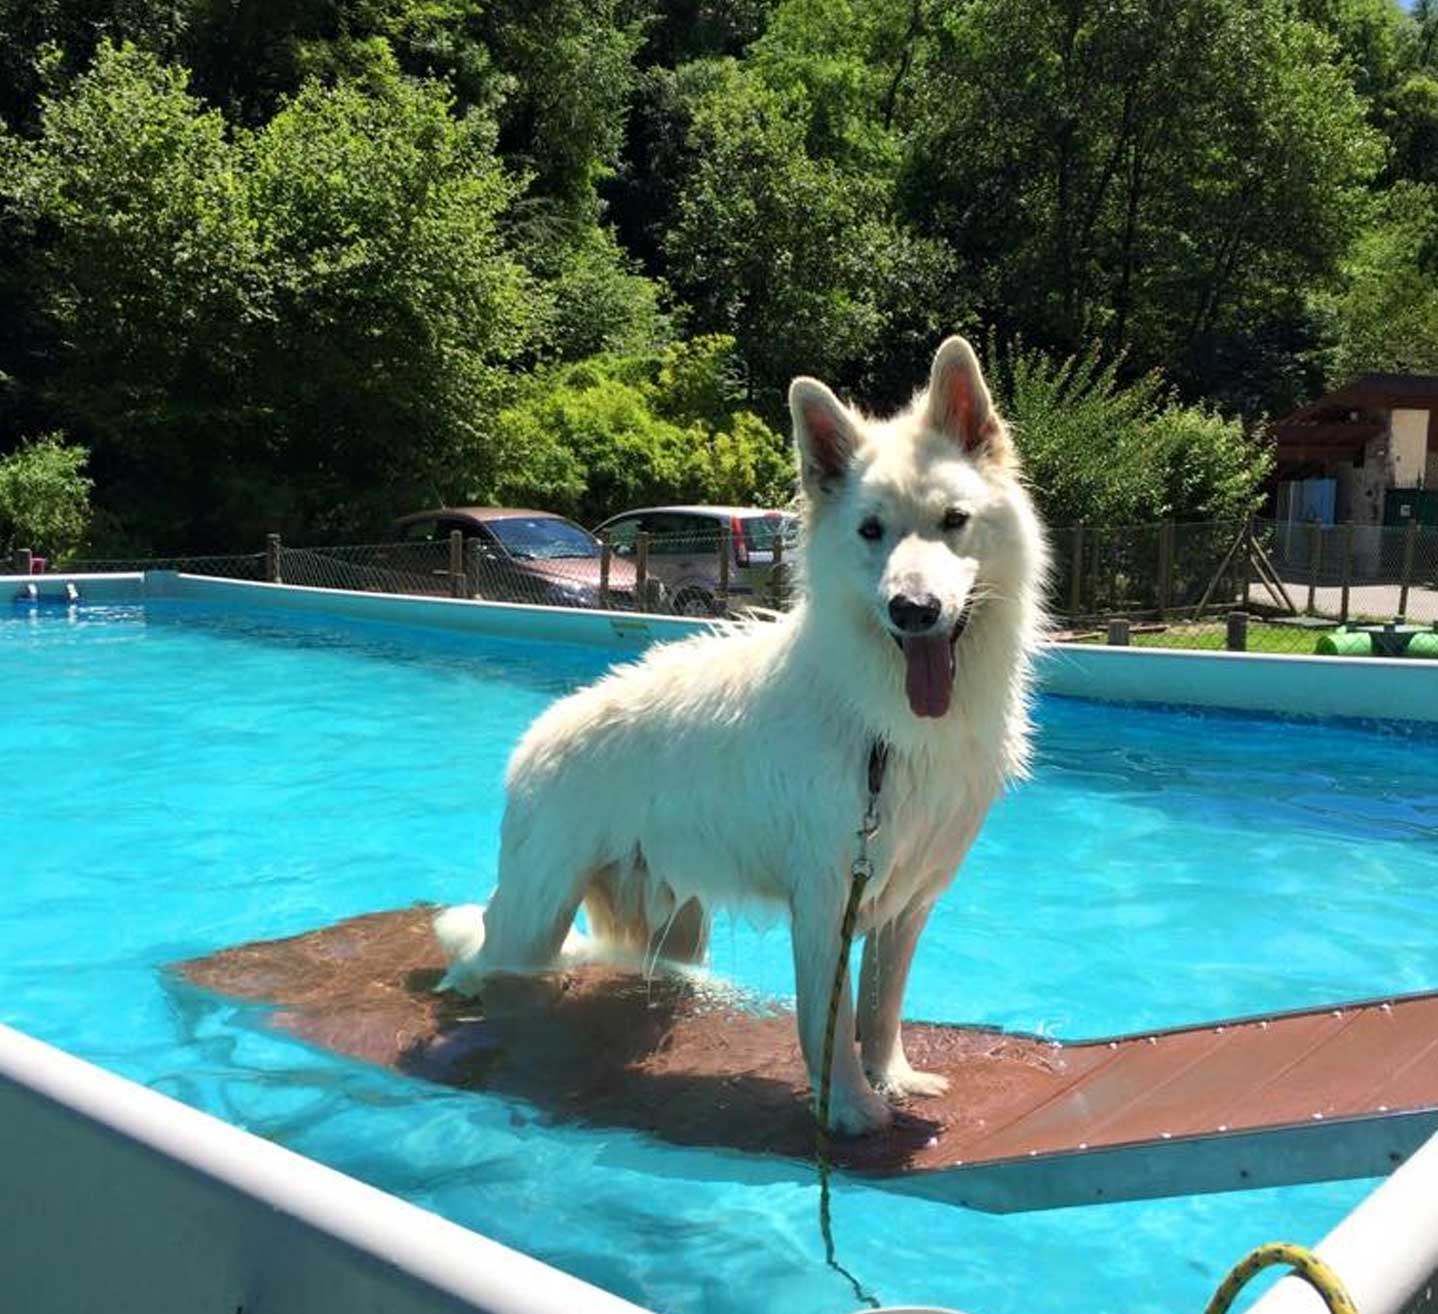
(733, 768)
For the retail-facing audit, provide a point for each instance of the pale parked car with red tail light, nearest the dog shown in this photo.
(684, 551)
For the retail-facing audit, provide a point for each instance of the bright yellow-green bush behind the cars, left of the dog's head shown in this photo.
(615, 433)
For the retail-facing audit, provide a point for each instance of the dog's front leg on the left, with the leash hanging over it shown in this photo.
(853, 1108)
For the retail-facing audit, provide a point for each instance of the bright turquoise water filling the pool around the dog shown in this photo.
(183, 781)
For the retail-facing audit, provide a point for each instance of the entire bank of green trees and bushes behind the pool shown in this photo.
(304, 265)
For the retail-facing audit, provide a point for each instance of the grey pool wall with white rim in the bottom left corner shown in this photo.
(122, 1200)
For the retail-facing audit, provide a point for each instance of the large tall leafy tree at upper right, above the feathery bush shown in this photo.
(1158, 175)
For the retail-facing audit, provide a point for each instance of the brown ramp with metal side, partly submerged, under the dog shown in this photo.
(1345, 1092)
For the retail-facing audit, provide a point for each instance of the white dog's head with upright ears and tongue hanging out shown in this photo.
(917, 524)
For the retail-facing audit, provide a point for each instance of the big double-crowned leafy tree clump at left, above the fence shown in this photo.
(252, 320)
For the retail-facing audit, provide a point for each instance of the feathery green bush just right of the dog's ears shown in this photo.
(1102, 452)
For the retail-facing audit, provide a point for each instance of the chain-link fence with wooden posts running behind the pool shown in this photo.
(1256, 586)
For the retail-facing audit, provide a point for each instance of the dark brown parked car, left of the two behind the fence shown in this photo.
(526, 556)
